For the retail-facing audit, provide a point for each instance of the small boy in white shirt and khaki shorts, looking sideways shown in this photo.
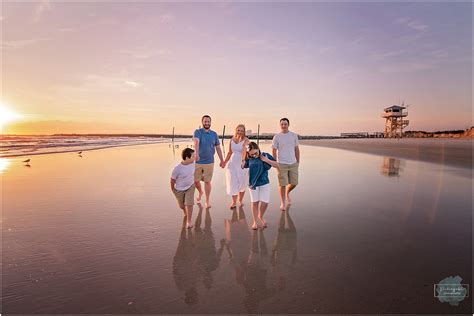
(182, 184)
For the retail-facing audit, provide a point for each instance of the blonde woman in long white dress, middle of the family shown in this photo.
(236, 177)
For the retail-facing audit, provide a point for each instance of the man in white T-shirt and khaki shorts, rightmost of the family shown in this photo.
(286, 150)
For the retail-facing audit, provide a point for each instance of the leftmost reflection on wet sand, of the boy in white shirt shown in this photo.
(184, 266)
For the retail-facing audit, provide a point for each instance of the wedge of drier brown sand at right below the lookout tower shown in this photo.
(455, 152)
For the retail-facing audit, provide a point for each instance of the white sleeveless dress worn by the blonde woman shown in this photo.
(237, 179)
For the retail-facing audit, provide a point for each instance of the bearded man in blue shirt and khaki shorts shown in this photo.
(206, 142)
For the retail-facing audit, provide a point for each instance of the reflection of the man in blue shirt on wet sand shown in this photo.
(207, 257)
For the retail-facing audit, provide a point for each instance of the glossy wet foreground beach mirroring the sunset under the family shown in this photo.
(103, 234)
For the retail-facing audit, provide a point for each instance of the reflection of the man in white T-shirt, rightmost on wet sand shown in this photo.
(284, 249)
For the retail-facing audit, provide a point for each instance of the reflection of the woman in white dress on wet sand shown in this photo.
(238, 241)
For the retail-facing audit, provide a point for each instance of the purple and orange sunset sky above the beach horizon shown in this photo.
(126, 67)
